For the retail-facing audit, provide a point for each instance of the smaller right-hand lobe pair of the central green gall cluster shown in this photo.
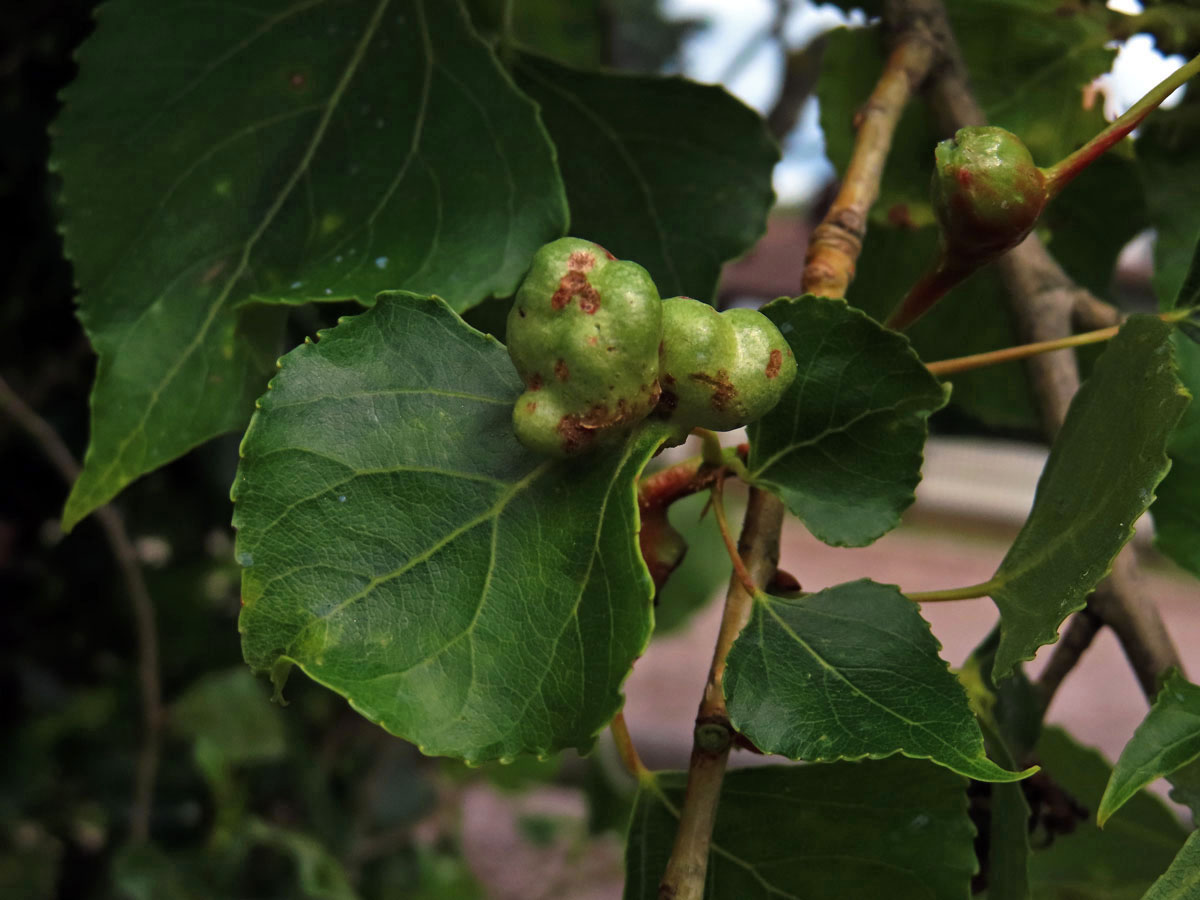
(721, 370)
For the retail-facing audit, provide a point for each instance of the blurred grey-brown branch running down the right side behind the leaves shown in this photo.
(1045, 302)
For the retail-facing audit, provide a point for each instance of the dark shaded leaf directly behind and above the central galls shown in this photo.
(673, 175)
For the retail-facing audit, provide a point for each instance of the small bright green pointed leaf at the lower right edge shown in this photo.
(1167, 740)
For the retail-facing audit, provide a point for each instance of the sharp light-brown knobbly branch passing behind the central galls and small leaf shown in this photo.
(830, 267)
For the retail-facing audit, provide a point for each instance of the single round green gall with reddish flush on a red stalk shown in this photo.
(987, 191)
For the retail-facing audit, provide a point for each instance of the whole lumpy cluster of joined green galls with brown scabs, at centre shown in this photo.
(599, 352)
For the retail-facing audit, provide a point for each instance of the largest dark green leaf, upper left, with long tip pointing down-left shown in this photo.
(277, 153)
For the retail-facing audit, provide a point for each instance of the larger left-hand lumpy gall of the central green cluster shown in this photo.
(584, 335)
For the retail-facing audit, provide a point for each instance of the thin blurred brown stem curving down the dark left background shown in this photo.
(141, 604)
